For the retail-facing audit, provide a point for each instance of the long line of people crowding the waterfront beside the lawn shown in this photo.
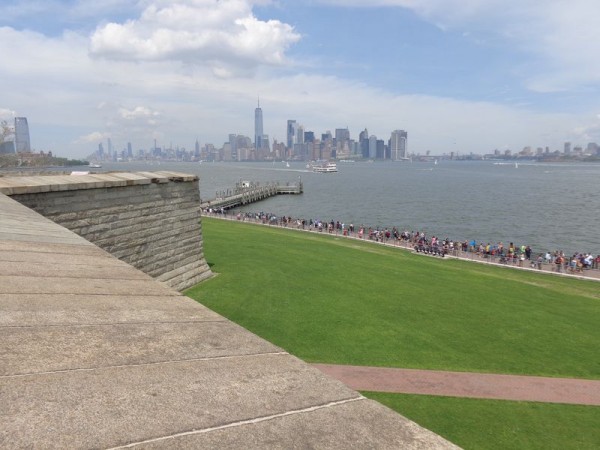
(419, 241)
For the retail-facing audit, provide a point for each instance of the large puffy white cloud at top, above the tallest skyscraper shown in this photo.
(223, 34)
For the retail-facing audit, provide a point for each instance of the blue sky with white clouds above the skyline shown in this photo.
(458, 75)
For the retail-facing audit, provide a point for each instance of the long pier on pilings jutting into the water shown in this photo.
(249, 192)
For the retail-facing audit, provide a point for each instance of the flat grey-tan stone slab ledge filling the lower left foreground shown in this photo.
(96, 354)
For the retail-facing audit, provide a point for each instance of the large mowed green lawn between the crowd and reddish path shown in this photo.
(342, 301)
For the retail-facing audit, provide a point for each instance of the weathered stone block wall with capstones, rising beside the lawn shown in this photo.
(153, 224)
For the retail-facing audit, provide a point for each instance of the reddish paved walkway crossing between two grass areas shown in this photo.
(465, 384)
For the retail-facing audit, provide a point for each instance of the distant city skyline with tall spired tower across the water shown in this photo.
(304, 145)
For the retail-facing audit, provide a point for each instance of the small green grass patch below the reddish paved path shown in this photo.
(499, 424)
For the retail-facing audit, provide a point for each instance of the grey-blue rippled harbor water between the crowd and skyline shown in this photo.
(547, 206)
